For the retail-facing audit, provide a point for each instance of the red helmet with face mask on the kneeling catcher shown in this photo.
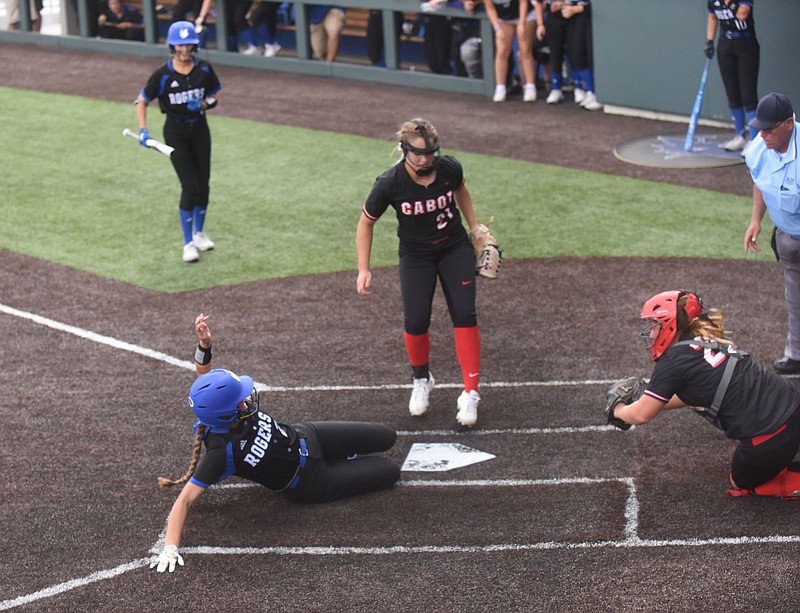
(662, 310)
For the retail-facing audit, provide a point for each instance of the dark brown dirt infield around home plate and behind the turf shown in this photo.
(570, 515)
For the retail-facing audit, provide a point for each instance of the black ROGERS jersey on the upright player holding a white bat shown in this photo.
(174, 90)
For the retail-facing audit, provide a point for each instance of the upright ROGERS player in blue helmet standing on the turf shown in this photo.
(185, 87)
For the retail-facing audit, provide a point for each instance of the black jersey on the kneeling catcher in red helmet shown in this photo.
(757, 401)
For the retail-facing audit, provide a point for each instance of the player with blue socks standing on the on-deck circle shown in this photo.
(738, 55)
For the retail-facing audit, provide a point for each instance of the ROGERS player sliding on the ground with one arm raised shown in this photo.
(308, 462)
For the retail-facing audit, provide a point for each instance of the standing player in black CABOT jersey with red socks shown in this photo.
(429, 196)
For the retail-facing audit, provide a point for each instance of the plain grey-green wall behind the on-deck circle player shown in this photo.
(648, 54)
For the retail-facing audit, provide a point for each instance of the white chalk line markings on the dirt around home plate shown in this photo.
(631, 507)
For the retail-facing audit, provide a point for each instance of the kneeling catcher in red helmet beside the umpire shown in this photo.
(697, 367)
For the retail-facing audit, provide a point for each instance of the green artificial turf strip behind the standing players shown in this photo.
(285, 201)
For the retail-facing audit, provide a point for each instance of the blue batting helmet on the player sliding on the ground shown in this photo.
(215, 398)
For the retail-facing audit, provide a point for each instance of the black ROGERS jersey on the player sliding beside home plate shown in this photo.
(257, 448)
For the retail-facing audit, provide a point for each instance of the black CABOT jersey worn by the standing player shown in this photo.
(424, 214)
